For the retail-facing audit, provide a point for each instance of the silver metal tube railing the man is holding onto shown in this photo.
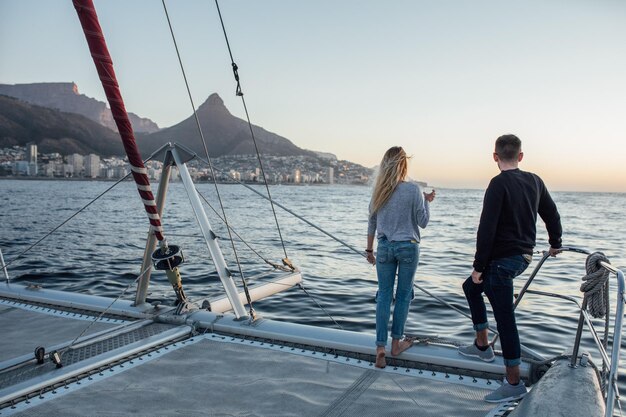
(612, 362)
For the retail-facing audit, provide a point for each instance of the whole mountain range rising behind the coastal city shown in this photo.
(66, 132)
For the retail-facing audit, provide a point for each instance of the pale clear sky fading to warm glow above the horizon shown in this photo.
(443, 79)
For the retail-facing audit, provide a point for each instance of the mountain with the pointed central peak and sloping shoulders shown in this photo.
(224, 133)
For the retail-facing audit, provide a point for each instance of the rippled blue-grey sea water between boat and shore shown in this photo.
(99, 251)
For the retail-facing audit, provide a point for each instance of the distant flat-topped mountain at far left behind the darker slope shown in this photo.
(66, 98)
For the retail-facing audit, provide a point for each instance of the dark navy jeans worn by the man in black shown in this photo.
(498, 287)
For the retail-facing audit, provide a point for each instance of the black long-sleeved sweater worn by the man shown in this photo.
(509, 218)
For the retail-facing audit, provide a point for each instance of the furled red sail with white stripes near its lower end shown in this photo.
(104, 64)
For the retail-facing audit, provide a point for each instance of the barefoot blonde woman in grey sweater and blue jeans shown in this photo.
(397, 210)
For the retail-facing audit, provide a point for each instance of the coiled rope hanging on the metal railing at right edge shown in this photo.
(596, 285)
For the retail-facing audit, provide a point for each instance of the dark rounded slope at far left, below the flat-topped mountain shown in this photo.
(54, 131)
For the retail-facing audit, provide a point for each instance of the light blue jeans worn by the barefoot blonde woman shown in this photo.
(401, 257)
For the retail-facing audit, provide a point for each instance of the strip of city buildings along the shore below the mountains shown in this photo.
(27, 162)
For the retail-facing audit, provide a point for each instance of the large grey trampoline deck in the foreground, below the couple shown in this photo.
(209, 377)
